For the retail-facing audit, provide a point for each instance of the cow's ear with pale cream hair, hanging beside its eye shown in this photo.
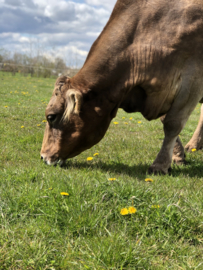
(74, 103)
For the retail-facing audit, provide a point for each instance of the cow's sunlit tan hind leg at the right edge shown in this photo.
(196, 142)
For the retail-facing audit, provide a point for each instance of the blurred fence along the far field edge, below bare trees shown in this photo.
(37, 70)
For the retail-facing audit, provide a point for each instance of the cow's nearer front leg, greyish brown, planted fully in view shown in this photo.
(176, 119)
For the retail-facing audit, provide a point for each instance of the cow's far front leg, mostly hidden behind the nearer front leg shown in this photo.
(178, 150)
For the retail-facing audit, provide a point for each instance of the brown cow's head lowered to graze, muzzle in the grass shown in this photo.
(76, 120)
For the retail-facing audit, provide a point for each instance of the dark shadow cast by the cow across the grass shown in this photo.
(192, 169)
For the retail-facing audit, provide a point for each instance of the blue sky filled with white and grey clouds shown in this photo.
(53, 27)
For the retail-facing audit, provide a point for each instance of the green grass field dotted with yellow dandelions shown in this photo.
(42, 229)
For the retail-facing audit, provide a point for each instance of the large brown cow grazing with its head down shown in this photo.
(147, 59)
